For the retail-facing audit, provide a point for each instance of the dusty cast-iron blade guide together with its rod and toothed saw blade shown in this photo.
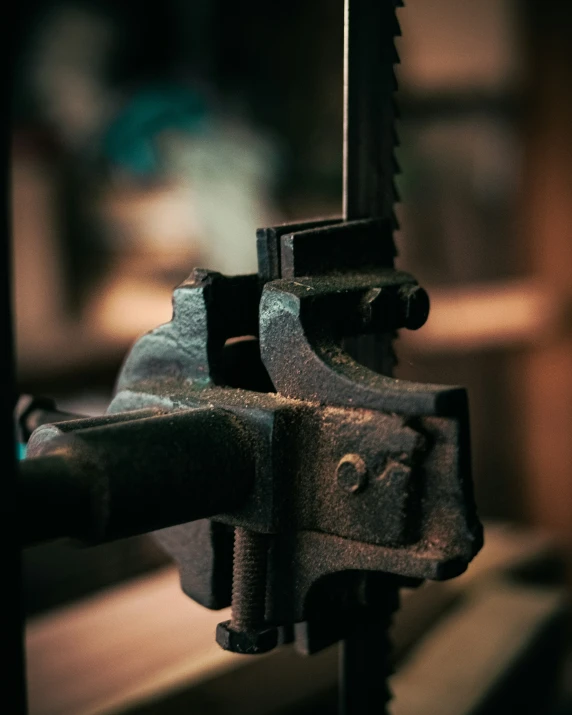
(285, 477)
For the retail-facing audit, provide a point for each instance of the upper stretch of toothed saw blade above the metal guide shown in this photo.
(370, 27)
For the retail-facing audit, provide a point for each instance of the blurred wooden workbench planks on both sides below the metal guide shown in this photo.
(143, 647)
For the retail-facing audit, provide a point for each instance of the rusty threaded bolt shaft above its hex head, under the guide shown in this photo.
(249, 580)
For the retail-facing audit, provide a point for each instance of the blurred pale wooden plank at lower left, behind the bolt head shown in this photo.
(121, 647)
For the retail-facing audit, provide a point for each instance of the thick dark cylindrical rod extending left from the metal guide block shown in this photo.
(126, 474)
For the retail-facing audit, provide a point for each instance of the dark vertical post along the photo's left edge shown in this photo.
(11, 638)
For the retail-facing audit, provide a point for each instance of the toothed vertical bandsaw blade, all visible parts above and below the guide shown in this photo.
(370, 27)
